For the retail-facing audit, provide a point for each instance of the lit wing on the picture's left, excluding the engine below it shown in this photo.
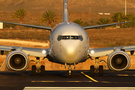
(37, 52)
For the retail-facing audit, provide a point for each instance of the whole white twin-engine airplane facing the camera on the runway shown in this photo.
(69, 45)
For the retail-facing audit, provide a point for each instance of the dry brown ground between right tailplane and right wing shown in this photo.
(111, 37)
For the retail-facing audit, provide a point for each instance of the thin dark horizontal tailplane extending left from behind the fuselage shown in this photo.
(33, 26)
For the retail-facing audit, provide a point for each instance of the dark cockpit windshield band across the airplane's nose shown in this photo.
(60, 37)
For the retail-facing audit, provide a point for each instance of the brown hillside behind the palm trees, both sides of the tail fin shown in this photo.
(85, 9)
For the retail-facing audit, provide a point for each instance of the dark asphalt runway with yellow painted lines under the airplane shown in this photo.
(20, 80)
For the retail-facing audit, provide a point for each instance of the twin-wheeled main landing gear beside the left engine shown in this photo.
(37, 68)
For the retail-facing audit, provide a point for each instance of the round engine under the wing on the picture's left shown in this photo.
(17, 61)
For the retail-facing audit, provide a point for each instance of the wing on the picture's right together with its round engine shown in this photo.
(118, 58)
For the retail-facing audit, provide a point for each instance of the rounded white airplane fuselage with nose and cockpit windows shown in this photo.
(69, 43)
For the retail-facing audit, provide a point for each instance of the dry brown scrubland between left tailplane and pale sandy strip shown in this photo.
(25, 34)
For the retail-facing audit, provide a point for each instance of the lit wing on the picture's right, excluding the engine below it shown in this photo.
(98, 52)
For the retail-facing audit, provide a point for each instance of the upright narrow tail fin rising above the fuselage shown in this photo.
(65, 11)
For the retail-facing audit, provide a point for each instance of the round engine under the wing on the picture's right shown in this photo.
(118, 61)
